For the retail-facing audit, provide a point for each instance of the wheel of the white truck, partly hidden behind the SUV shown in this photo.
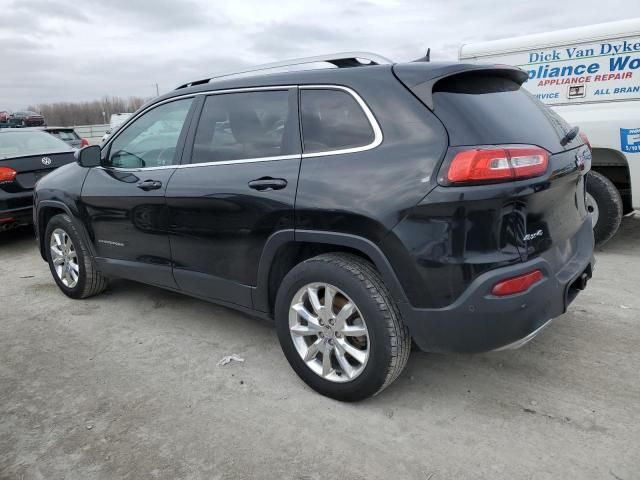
(605, 204)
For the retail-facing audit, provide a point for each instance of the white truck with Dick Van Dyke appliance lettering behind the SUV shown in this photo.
(591, 77)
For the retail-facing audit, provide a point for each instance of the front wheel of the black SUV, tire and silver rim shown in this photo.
(70, 262)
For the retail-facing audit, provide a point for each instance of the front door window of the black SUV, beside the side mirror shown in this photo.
(151, 140)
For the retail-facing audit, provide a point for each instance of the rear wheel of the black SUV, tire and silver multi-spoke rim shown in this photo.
(339, 327)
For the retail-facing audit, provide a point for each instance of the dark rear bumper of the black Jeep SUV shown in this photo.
(479, 321)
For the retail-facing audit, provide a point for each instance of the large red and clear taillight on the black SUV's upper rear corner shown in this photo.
(486, 164)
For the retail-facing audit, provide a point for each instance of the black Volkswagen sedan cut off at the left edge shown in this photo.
(25, 157)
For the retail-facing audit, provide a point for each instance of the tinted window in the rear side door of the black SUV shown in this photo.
(238, 126)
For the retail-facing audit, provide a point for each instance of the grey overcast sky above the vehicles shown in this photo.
(58, 50)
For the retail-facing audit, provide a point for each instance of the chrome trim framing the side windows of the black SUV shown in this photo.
(377, 131)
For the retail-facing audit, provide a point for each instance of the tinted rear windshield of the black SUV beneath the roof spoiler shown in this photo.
(481, 109)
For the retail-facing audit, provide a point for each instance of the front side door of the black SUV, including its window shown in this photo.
(124, 198)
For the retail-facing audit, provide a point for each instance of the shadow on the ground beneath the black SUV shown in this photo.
(427, 377)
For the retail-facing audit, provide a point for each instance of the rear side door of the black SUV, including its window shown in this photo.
(237, 190)
